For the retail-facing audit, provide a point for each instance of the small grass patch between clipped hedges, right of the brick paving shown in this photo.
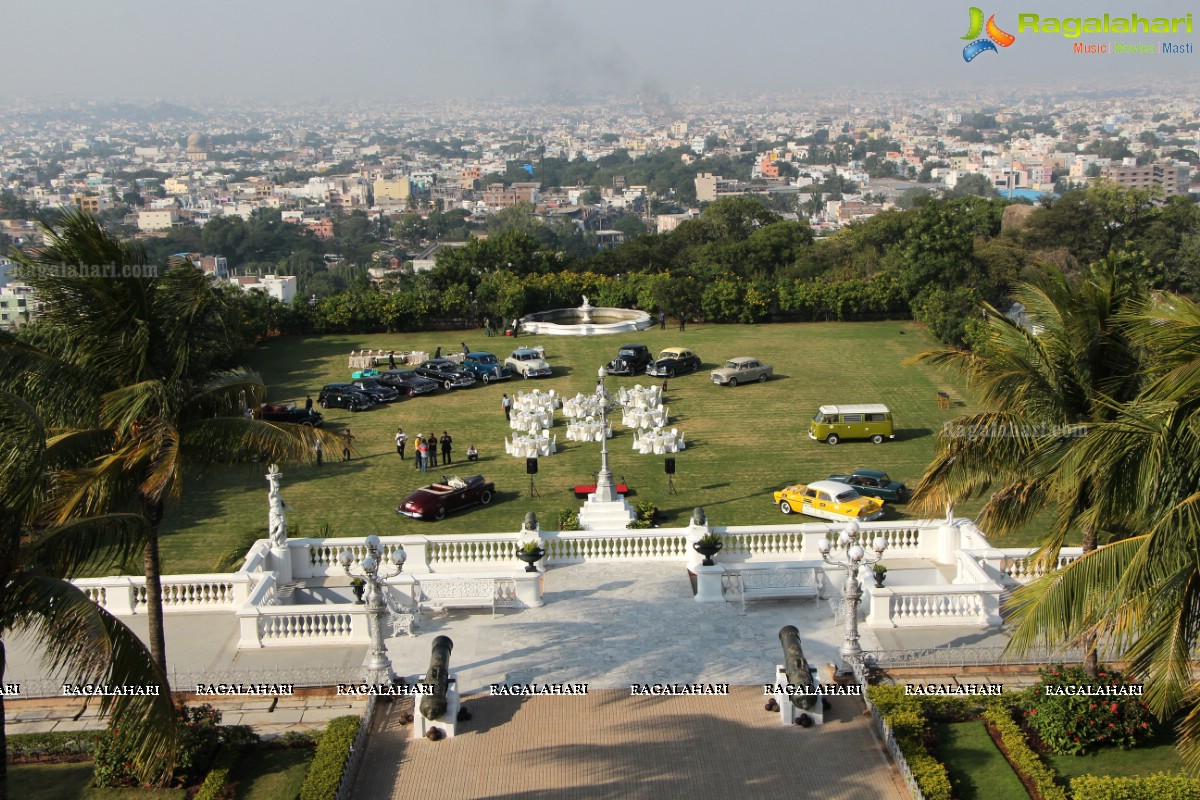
(979, 771)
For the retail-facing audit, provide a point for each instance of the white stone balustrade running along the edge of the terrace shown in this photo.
(982, 573)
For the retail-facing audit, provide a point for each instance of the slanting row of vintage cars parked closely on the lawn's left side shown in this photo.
(371, 388)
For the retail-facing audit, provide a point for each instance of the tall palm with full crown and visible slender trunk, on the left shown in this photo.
(141, 353)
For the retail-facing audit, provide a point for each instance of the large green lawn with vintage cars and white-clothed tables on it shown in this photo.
(743, 443)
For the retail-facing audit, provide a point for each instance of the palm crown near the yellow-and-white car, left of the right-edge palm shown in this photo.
(1040, 386)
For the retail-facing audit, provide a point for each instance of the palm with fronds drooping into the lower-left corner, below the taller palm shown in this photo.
(77, 637)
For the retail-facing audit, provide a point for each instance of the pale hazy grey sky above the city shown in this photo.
(303, 49)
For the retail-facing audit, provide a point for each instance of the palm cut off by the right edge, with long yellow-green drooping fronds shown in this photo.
(1142, 594)
